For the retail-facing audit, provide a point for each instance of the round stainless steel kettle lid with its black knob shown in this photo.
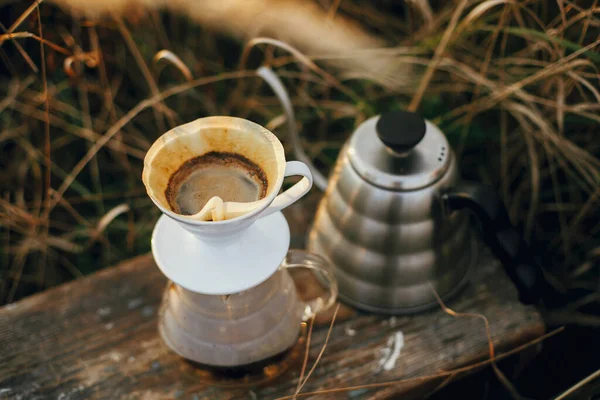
(399, 150)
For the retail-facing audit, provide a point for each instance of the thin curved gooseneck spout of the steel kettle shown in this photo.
(277, 86)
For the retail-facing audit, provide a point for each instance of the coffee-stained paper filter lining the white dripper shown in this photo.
(221, 134)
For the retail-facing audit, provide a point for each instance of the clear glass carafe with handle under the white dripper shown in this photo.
(250, 336)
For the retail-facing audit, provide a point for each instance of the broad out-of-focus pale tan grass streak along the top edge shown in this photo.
(303, 23)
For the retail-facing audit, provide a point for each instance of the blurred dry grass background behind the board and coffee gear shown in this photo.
(86, 87)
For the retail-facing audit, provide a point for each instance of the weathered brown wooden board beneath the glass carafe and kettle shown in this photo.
(96, 338)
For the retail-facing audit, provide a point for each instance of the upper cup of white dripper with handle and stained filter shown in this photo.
(223, 134)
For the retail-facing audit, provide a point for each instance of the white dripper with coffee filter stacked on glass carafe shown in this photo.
(231, 306)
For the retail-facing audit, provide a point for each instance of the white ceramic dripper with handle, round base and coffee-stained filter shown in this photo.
(248, 244)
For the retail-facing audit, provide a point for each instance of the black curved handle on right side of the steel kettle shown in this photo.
(505, 241)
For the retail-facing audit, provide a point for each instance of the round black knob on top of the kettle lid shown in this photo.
(400, 130)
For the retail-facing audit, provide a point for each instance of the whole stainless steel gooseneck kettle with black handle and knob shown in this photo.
(394, 218)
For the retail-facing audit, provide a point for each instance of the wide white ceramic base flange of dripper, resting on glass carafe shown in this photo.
(221, 269)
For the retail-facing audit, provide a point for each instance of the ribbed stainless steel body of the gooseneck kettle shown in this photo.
(390, 246)
